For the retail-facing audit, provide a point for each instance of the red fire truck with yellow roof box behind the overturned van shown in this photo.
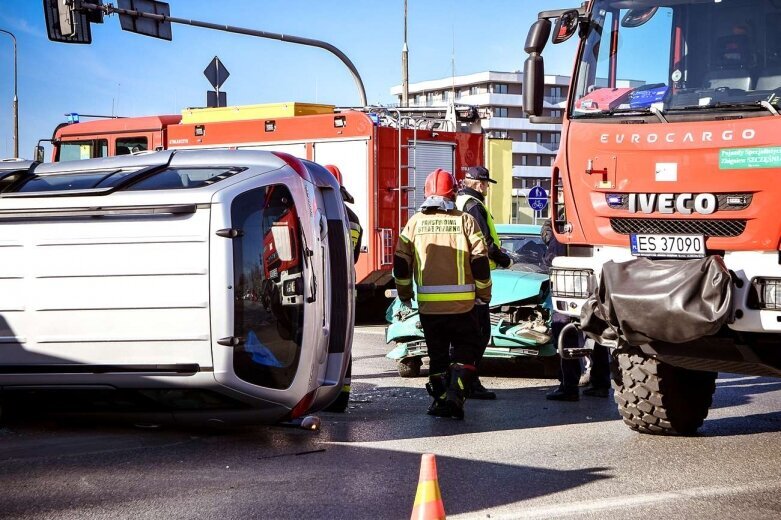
(384, 154)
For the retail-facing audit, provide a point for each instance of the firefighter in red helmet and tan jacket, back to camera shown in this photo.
(443, 251)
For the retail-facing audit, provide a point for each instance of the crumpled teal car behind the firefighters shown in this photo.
(520, 307)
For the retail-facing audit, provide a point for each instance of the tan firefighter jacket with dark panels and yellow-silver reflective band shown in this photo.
(444, 253)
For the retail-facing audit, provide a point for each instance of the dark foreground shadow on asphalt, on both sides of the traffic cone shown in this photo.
(252, 474)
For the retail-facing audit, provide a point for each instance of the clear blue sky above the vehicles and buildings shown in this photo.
(136, 75)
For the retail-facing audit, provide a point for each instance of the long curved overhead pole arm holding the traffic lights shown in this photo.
(110, 9)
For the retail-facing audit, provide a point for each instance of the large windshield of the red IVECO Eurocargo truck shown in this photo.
(679, 55)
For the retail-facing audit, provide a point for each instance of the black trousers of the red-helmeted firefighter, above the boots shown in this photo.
(443, 331)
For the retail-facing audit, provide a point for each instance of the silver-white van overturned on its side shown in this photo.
(141, 289)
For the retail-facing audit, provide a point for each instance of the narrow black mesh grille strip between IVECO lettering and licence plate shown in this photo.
(710, 228)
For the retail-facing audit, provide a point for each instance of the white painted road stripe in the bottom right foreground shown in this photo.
(605, 504)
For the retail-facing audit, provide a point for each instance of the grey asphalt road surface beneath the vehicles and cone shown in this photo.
(518, 457)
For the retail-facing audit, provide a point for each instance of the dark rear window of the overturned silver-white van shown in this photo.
(269, 287)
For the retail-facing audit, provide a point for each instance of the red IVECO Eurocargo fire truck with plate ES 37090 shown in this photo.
(668, 195)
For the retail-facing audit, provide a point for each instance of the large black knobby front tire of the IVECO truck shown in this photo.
(657, 398)
